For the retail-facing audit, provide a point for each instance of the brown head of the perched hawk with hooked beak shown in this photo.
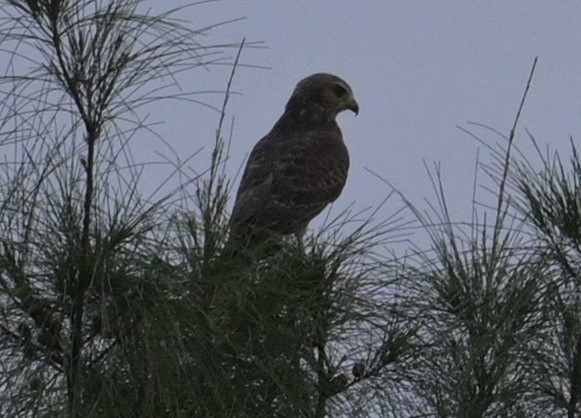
(323, 92)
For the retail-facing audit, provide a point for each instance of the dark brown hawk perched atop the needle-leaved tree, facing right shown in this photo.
(299, 167)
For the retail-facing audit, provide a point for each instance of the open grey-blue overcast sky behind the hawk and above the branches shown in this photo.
(418, 69)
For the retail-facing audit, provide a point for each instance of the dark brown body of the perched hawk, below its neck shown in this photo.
(289, 179)
